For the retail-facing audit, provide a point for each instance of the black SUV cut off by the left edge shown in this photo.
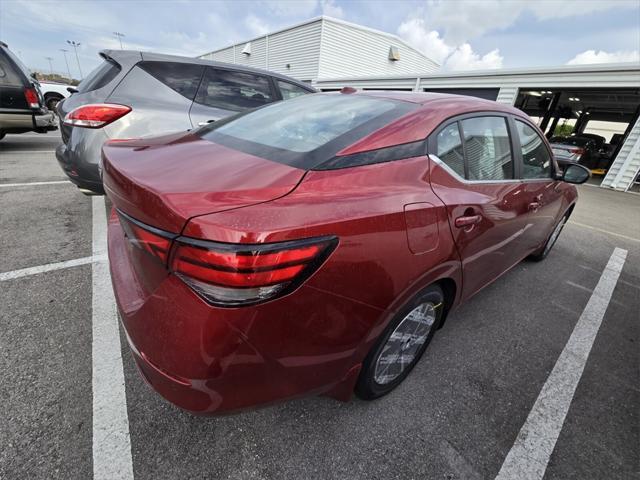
(22, 107)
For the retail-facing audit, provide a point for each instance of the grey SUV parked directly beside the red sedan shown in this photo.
(137, 94)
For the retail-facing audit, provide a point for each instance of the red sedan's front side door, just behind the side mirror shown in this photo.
(541, 190)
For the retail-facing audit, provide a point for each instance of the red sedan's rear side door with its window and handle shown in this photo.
(473, 173)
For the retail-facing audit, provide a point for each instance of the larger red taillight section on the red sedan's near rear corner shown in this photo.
(236, 274)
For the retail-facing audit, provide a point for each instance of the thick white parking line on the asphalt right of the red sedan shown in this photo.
(529, 456)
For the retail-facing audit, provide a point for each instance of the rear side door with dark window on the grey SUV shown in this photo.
(225, 92)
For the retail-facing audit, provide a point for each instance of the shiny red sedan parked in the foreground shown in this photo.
(314, 246)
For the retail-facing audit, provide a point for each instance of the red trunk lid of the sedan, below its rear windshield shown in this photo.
(164, 181)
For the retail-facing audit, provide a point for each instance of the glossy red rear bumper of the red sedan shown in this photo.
(209, 360)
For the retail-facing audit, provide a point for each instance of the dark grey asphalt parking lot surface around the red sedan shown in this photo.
(458, 416)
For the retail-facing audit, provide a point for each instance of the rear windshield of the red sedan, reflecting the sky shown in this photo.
(305, 131)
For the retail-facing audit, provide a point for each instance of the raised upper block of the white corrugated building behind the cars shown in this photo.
(326, 47)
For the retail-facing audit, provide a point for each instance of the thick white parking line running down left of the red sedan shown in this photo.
(111, 442)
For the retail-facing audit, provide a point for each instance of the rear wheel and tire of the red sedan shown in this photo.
(401, 345)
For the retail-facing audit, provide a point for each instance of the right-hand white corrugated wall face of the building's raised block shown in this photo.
(352, 51)
